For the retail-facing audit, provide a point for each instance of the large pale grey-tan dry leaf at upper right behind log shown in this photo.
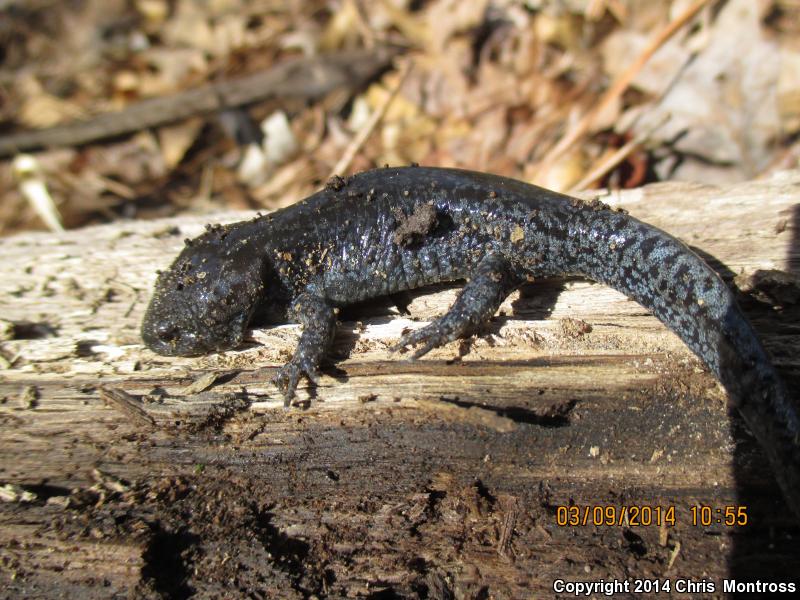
(723, 107)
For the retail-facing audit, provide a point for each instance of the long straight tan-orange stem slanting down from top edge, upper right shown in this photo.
(620, 85)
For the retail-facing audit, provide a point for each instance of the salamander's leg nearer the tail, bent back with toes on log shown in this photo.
(492, 281)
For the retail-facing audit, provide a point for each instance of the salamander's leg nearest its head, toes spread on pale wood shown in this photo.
(318, 319)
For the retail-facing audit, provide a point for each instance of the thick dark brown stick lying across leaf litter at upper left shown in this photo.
(309, 78)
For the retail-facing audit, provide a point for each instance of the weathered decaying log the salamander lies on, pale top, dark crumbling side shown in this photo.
(440, 478)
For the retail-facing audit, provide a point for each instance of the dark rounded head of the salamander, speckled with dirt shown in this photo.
(204, 302)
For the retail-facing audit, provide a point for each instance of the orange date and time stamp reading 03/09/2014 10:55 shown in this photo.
(643, 515)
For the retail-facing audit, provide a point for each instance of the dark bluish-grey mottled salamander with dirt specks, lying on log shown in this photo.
(393, 229)
